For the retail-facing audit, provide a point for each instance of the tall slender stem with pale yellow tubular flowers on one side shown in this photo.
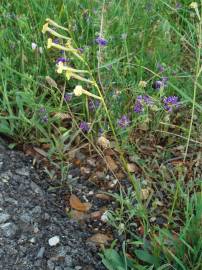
(84, 76)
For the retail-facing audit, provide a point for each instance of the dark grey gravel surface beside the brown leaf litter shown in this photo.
(35, 232)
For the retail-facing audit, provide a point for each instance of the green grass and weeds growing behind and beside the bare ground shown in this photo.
(141, 35)
